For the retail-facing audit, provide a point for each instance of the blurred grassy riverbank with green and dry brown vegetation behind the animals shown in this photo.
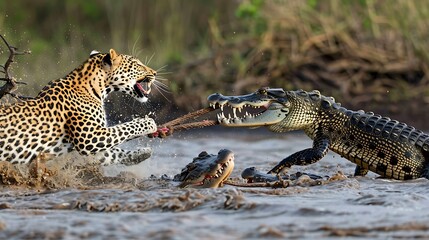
(368, 54)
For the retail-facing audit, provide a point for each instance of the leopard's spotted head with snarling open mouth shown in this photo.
(129, 75)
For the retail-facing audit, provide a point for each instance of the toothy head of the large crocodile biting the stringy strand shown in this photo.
(267, 106)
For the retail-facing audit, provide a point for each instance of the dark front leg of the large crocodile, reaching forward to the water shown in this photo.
(306, 156)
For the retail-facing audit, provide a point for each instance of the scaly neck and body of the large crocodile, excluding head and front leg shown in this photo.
(387, 147)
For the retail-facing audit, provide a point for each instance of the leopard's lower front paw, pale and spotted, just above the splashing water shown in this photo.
(118, 155)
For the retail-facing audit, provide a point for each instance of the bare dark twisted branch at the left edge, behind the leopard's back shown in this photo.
(11, 82)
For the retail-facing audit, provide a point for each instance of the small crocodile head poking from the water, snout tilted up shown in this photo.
(207, 170)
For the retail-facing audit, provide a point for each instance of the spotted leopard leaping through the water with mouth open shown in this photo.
(68, 114)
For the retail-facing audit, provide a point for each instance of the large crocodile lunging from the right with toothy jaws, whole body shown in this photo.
(374, 143)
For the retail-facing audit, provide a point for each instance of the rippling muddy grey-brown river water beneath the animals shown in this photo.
(140, 208)
